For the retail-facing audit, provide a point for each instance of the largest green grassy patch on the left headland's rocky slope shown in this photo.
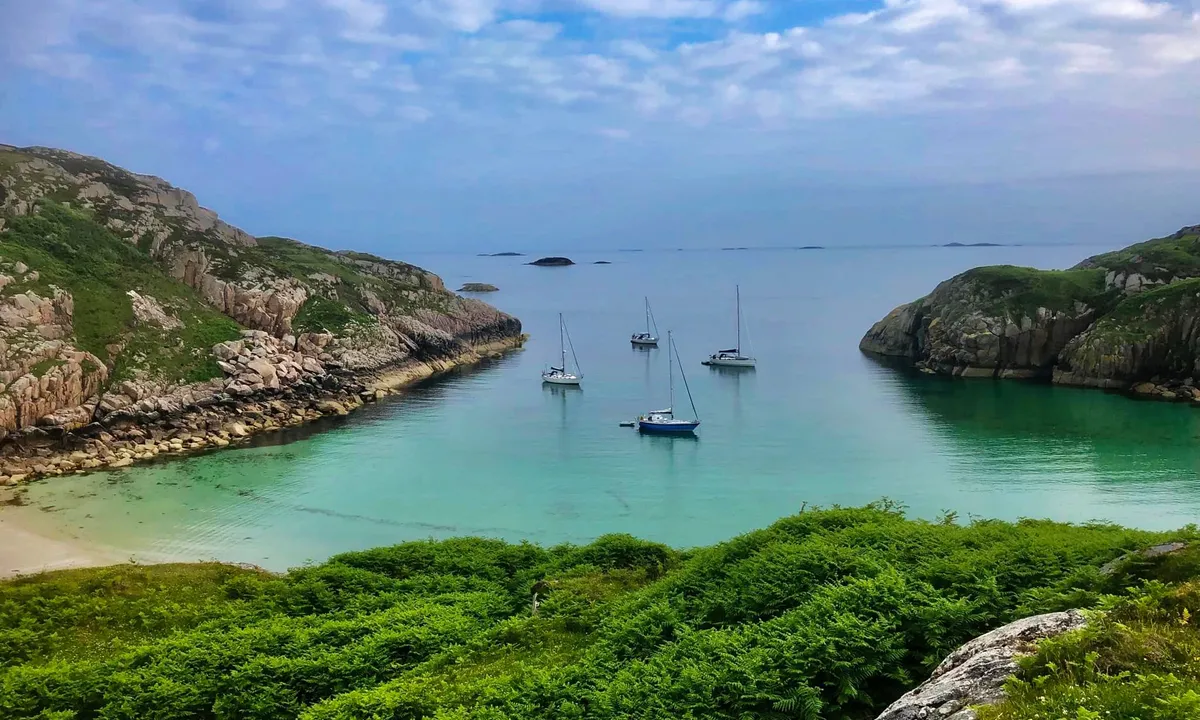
(73, 251)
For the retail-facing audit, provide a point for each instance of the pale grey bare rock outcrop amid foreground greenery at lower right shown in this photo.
(975, 675)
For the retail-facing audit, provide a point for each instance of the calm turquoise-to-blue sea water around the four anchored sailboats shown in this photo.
(491, 452)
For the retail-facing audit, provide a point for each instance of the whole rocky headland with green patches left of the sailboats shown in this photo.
(135, 323)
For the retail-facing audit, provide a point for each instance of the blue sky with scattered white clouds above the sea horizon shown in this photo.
(555, 125)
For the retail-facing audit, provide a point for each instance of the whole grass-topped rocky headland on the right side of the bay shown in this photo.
(1124, 321)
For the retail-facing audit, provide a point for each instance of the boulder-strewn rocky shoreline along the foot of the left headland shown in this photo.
(265, 393)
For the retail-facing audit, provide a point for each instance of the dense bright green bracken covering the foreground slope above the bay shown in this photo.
(829, 614)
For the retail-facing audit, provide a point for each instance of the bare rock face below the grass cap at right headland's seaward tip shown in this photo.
(964, 328)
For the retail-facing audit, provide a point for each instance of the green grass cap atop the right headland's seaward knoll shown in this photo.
(1022, 291)
